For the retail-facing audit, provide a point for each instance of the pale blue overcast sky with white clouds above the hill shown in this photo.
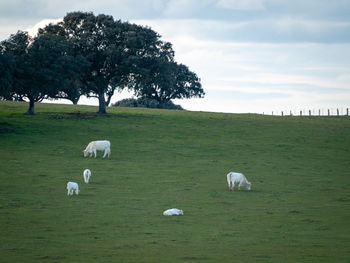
(251, 55)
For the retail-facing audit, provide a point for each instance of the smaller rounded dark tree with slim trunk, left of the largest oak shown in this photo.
(43, 65)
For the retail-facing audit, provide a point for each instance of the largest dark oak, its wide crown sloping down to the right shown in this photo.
(125, 55)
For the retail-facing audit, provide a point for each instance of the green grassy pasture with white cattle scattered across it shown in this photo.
(297, 211)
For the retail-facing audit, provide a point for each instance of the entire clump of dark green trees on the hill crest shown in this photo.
(93, 56)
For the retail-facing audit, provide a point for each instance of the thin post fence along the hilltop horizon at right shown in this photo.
(312, 112)
